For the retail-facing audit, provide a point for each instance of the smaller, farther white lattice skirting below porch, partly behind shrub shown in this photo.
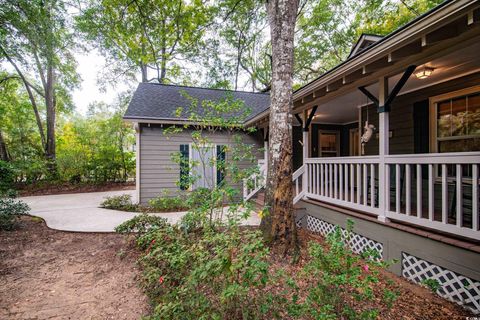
(358, 243)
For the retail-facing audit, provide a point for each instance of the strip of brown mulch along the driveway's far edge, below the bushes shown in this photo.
(48, 188)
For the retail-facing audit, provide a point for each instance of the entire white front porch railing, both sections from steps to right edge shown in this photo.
(437, 191)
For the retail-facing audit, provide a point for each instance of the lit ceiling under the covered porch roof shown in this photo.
(344, 109)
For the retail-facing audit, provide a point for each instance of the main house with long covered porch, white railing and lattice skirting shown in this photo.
(390, 138)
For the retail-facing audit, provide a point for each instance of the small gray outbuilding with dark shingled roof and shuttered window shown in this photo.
(155, 107)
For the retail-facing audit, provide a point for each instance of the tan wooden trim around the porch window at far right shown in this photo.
(433, 101)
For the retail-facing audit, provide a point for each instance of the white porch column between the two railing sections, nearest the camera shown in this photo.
(384, 135)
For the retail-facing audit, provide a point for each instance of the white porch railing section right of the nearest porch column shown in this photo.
(447, 200)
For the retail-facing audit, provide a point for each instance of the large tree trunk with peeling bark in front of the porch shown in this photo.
(279, 225)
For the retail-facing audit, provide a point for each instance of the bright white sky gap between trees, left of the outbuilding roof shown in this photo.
(89, 66)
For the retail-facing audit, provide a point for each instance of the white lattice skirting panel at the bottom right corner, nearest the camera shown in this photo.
(454, 287)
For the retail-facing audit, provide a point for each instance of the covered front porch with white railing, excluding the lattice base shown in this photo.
(394, 132)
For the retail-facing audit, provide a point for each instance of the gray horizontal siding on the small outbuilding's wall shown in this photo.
(158, 173)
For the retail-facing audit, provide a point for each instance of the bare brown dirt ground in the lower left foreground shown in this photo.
(47, 274)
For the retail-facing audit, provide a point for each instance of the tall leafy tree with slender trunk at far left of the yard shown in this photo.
(36, 41)
